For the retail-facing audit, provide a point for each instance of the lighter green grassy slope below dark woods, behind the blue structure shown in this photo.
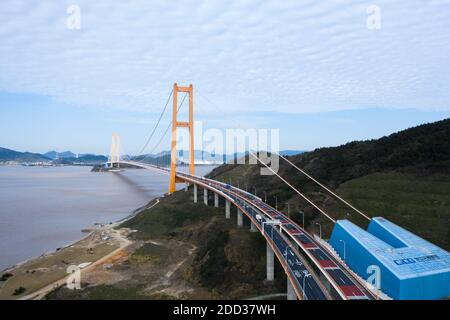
(418, 203)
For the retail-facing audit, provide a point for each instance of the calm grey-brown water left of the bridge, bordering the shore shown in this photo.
(37, 226)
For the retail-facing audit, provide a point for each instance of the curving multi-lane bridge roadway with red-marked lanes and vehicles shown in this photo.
(346, 285)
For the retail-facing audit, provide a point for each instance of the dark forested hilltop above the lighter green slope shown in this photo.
(422, 149)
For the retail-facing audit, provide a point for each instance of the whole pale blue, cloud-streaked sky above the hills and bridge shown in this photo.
(321, 72)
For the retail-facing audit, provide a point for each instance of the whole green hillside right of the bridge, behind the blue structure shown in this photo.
(403, 177)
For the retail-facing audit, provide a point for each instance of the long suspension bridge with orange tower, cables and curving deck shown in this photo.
(313, 270)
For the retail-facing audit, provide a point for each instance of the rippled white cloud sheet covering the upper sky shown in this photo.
(286, 56)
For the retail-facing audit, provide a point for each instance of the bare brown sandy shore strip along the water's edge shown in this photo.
(100, 241)
